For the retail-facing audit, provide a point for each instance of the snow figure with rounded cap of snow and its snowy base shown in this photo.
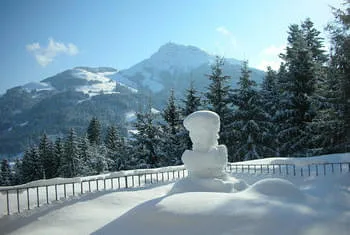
(207, 160)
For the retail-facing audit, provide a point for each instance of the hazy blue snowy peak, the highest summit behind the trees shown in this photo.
(174, 66)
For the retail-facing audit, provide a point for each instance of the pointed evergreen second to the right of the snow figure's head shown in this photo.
(251, 126)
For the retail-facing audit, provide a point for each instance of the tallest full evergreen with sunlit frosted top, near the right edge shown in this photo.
(298, 86)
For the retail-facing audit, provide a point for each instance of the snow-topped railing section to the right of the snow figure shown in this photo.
(289, 169)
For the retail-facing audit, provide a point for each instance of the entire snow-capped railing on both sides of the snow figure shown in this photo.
(16, 199)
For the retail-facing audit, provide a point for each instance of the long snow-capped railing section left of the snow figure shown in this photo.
(19, 198)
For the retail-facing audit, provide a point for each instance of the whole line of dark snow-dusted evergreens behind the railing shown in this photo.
(302, 109)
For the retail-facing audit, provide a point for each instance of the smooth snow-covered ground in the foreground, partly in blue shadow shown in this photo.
(315, 205)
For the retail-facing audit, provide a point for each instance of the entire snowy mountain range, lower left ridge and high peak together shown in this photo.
(72, 97)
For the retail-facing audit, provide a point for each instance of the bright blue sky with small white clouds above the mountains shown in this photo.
(40, 38)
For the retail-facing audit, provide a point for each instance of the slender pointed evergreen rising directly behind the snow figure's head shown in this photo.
(218, 99)
